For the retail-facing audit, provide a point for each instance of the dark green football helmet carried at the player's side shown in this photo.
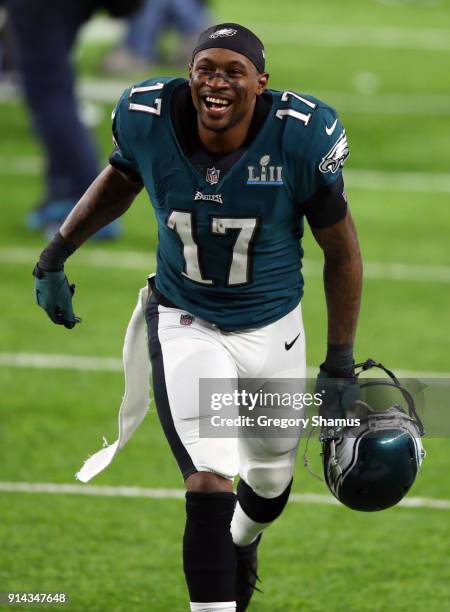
(371, 466)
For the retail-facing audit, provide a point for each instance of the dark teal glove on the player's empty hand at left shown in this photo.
(54, 294)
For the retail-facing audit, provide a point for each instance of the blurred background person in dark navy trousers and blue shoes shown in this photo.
(45, 34)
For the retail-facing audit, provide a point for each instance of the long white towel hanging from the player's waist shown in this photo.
(134, 406)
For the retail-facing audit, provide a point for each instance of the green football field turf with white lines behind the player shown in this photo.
(384, 65)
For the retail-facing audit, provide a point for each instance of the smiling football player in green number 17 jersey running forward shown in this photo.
(232, 169)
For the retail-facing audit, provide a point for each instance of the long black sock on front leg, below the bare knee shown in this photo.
(208, 551)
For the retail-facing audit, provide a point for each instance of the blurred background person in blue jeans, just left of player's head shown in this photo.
(140, 49)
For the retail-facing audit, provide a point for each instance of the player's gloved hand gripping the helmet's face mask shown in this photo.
(338, 393)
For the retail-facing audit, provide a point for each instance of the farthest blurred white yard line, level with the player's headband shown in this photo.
(107, 30)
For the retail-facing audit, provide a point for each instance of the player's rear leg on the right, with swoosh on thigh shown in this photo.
(266, 464)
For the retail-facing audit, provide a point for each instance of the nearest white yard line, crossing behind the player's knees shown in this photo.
(145, 493)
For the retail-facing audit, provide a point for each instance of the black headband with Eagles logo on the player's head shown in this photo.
(236, 38)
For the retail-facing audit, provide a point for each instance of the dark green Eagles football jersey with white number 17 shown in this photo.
(230, 248)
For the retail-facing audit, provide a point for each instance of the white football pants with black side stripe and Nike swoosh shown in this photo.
(183, 350)
